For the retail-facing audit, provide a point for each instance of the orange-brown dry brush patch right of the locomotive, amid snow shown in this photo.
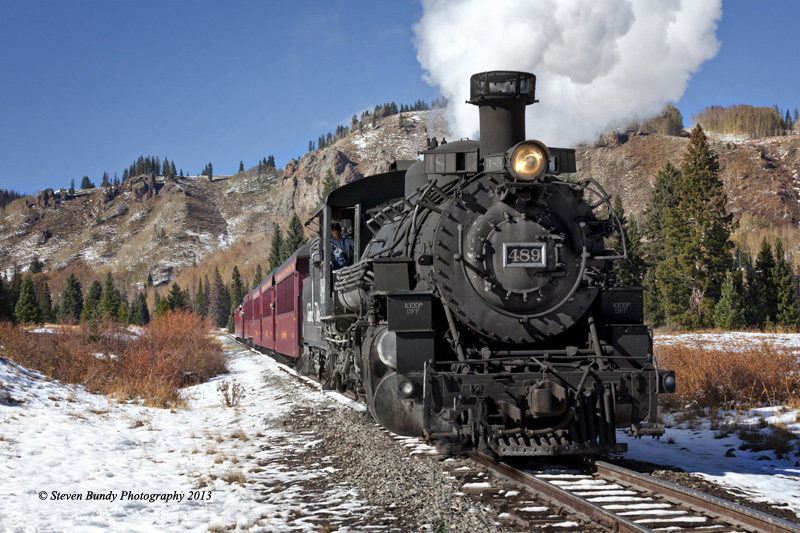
(742, 375)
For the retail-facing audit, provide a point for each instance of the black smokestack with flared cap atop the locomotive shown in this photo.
(501, 96)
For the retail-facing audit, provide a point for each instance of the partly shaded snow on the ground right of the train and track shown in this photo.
(692, 444)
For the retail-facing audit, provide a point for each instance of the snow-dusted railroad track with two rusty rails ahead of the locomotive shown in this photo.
(627, 501)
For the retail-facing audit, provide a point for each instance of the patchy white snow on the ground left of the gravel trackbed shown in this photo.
(201, 467)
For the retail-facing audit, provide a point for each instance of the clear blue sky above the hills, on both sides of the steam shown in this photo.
(88, 86)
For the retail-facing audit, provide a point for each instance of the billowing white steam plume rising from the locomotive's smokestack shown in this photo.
(598, 63)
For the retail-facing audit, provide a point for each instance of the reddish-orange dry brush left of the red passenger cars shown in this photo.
(172, 352)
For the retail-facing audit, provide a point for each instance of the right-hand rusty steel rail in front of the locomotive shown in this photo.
(724, 510)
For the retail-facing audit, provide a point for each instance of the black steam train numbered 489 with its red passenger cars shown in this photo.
(481, 306)
